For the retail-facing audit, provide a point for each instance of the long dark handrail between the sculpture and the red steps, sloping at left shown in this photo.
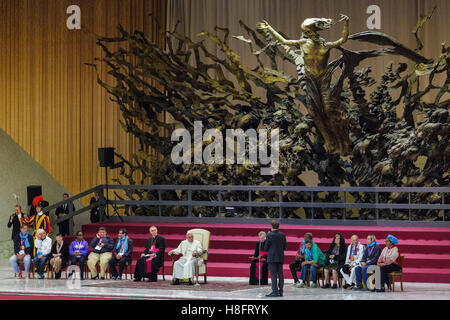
(251, 204)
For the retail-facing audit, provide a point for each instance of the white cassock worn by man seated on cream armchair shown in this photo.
(184, 268)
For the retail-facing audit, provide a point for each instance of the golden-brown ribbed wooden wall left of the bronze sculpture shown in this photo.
(50, 102)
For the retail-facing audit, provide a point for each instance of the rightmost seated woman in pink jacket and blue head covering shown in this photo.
(389, 260)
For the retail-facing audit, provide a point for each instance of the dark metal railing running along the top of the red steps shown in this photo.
(313, 202)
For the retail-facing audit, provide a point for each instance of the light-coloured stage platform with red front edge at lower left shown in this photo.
(226, 289)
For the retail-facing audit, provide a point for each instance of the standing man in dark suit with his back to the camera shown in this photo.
(275, 245)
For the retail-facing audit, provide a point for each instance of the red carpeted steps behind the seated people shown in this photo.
(426, 250)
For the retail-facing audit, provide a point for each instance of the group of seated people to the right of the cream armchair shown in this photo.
(353, 263)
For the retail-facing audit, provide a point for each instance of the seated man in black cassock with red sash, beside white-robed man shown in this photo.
(152, 259)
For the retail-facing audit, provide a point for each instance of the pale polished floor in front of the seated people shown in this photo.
(11, 286)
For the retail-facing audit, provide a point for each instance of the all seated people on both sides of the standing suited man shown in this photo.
(352, 262)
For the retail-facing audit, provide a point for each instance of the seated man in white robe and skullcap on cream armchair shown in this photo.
(184, 268)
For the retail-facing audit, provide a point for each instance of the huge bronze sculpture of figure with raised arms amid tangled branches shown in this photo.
(347, 136)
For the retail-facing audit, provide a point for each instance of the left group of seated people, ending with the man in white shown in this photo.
(105, 253)
